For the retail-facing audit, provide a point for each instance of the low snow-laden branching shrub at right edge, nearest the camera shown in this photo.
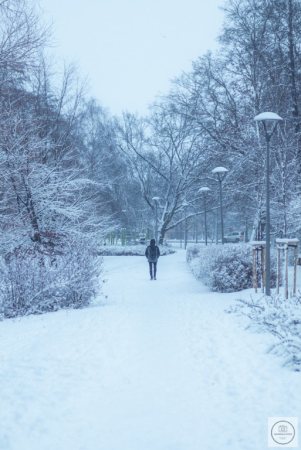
(280, 317)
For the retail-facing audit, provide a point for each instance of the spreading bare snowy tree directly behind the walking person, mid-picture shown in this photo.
(166, 155)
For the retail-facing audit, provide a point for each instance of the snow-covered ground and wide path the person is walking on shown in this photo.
(159, 367)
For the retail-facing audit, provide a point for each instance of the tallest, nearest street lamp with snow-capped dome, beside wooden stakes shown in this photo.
(265, 118)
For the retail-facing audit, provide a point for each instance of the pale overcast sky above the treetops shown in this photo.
(131, 49)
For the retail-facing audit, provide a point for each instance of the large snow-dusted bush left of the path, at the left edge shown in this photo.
(34, 281)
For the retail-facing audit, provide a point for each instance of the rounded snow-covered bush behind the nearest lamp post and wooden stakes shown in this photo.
(225, 268)
